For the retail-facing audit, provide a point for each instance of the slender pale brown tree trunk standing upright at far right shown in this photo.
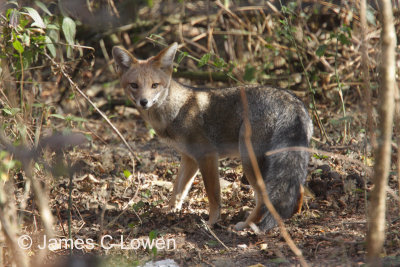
(376, 229)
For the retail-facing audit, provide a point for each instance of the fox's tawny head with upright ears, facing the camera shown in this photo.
(146, 82)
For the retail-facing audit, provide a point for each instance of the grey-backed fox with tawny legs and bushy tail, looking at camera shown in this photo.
(207, 124)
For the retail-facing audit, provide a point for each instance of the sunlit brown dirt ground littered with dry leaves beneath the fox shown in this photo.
(117, 195)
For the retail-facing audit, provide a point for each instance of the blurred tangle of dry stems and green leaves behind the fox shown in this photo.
(48, 49)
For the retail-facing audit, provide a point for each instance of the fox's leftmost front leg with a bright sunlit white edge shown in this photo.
(186, 174)
